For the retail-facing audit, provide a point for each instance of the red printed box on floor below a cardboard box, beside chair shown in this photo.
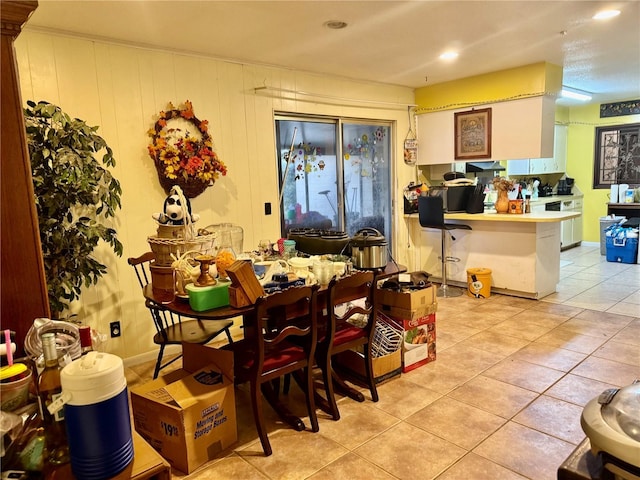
(419, 342)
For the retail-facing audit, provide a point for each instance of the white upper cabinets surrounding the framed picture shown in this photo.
(520, 129)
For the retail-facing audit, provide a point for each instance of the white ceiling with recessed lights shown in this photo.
(387, 41)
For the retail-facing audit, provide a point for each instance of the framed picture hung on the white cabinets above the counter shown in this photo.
(473, 134)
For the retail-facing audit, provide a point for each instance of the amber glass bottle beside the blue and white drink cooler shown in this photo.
(49, 389)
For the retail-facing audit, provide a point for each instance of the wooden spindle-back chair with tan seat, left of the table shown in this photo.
(171, 328)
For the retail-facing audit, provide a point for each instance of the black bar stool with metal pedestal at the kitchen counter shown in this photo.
(431, 215)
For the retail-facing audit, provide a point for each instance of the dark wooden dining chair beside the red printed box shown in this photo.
(349, 324)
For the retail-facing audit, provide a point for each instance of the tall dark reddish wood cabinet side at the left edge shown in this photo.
(23, 285)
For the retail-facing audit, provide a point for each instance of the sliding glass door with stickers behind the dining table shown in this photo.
(335, 174)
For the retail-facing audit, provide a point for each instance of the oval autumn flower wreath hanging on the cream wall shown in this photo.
(183, 152)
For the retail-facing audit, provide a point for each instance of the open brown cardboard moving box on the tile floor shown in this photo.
(189, 415)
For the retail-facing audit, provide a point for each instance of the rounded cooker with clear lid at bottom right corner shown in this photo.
(612, 423)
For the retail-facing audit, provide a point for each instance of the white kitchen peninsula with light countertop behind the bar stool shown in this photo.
(522, 250)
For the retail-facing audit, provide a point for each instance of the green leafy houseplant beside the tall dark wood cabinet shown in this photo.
(75, 194)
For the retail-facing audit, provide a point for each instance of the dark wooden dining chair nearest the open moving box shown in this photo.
(280, 340)
